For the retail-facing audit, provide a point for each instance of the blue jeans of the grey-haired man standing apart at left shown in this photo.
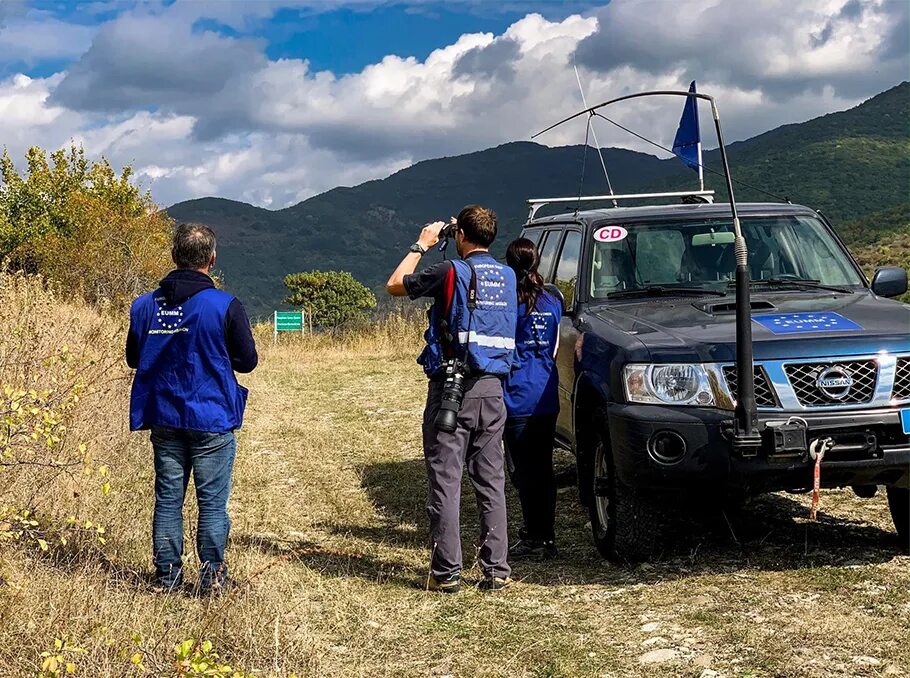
(210, 457)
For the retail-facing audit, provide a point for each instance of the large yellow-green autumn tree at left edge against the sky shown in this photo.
(87, 229)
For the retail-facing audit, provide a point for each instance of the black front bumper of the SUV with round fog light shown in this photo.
(709, 460)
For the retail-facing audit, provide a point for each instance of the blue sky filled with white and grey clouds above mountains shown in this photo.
(271, 102)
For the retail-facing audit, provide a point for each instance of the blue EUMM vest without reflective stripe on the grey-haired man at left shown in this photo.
(184, 379)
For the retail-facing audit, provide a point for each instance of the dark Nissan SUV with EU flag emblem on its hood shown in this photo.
(647, 357)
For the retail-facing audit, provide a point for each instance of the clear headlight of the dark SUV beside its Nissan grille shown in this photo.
(678, 384)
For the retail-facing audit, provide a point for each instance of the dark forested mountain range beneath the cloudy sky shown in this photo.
(850, 165)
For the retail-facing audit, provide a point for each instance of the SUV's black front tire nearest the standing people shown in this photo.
(627, 527)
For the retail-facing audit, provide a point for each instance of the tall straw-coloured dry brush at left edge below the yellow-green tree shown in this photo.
(53, 477)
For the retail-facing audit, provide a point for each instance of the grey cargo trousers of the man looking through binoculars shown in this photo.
(477, 443)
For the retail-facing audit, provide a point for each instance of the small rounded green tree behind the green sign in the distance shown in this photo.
(330, 297)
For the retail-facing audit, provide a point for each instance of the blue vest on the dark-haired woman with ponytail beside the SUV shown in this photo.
(532, 387)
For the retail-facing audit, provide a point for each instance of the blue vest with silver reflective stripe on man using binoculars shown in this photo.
(484, 338)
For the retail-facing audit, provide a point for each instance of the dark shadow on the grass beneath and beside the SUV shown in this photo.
(768, 534)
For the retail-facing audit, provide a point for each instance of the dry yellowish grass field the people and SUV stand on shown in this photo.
(328, 521)
